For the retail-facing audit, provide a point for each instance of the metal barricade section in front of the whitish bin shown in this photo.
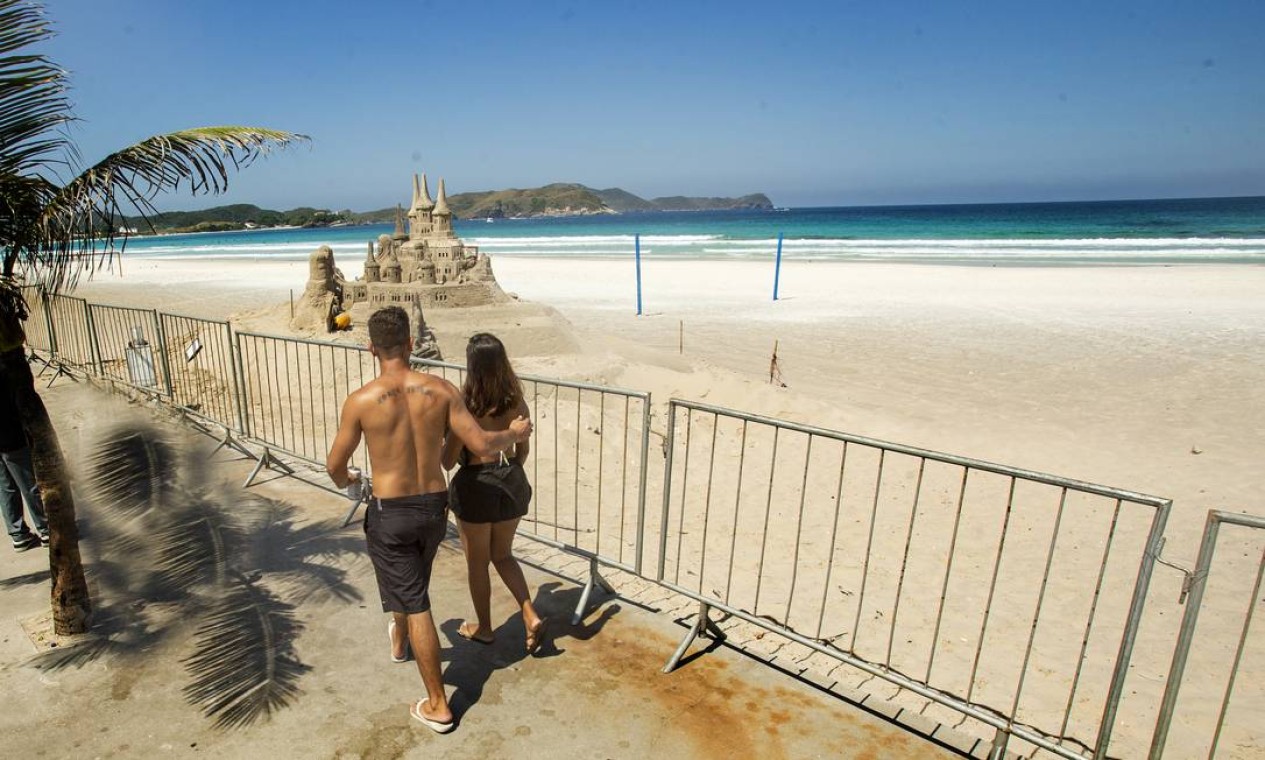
(128, 345)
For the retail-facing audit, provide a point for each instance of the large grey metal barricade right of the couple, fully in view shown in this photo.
(915, 567)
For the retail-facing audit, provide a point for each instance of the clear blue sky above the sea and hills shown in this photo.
(815, 104)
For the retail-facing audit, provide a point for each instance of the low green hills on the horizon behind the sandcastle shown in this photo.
(561, 199)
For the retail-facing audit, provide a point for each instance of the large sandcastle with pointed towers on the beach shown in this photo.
(428, 266)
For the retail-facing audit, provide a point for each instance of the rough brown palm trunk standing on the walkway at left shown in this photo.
(71, 603)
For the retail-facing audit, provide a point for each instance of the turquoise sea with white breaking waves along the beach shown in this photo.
(1163, 232)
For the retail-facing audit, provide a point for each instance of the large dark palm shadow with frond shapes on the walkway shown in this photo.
(170, 551)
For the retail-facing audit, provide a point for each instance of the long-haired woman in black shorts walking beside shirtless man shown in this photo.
(490, 496)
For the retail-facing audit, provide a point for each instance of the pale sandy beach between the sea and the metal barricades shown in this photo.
(1148, 379)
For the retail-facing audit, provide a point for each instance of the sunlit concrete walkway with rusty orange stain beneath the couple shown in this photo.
(595, 691)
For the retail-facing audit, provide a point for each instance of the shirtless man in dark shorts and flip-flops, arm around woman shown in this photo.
(404, 417)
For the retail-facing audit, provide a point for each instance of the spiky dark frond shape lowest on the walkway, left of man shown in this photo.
(245, 666)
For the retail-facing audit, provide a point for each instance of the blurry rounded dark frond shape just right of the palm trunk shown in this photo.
(135, 470)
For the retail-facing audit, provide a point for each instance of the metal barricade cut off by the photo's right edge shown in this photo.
(1223, 659)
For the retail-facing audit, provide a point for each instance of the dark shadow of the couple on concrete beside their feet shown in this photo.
(472, 665)
